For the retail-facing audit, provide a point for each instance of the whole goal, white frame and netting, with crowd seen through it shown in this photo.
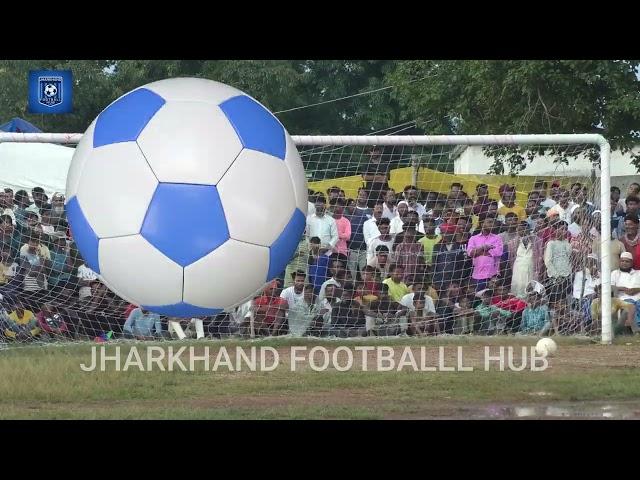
(406, 235)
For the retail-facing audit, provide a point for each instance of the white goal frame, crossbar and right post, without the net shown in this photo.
(442, 140)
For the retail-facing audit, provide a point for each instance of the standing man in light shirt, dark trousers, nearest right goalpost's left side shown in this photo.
(557, 260)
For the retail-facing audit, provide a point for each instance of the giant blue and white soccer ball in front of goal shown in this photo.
(186, 196)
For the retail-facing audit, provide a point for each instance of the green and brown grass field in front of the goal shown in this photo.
(584, 379)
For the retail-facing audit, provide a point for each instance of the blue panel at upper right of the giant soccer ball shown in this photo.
(257, 128)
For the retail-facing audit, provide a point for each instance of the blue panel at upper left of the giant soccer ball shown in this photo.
(124, 119)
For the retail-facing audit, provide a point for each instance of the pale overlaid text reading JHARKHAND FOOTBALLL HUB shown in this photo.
(318, 359)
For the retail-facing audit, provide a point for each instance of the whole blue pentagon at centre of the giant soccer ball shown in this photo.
(185, 222)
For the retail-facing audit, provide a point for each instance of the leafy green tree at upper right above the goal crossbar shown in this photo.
(523, 96)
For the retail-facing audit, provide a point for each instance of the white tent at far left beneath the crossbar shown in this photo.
(27, 165)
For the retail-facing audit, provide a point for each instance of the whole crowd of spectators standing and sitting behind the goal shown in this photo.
(385, 263)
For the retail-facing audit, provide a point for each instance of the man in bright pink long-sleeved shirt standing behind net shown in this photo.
(485, 249)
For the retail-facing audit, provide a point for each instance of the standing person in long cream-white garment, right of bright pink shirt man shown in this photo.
(526, 259)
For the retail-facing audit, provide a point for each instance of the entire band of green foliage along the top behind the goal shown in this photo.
(441, 97)
